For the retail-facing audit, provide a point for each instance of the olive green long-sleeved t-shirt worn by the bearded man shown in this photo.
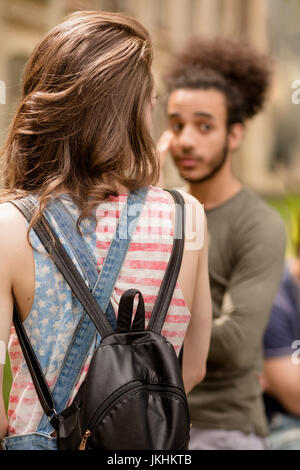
(246, 240)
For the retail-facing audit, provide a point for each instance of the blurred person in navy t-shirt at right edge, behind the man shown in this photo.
(281, 374)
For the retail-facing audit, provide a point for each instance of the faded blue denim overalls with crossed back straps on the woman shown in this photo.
(85, 333)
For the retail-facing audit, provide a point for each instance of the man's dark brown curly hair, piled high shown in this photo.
(232, 67)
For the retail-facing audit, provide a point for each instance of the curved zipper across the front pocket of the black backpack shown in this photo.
(133, 386)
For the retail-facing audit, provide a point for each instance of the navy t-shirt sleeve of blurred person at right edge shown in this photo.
(279, 334)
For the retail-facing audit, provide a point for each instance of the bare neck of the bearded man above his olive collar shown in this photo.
(216, 191)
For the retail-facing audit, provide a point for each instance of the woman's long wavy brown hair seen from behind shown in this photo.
(81, 126)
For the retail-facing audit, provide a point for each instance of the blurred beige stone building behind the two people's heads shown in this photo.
(171, 23)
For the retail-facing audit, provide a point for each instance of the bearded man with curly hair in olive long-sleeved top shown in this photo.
(214, 87)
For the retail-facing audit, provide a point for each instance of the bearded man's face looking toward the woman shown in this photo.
(197, 119)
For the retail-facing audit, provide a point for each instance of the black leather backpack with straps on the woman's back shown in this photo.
(133, 396)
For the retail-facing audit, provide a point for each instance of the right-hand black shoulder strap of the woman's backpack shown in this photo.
(168, 284)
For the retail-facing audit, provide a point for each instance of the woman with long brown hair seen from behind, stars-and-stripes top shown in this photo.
(81, 134)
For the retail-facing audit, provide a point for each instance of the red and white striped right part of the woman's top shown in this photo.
(147, 258)
